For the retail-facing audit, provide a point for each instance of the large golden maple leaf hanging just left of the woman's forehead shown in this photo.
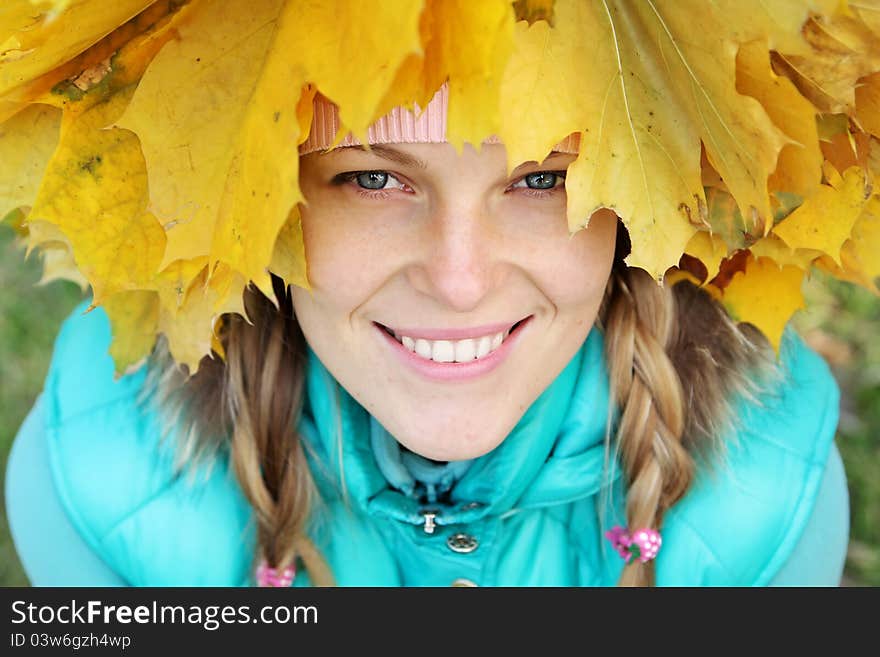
(234, 145)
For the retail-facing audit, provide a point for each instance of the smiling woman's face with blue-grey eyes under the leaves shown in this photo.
(421, 262)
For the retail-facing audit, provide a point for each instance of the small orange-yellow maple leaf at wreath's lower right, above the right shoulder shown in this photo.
(765, 295)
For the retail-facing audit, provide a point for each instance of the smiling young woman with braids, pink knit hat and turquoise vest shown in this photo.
(467, 394)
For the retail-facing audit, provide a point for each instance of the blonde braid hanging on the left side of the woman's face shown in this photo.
(266, 373)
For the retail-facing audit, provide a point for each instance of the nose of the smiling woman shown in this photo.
(458, 263)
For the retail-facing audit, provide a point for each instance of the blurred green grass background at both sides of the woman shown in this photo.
(842, 324)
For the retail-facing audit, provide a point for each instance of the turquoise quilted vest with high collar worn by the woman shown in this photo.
(531, 512)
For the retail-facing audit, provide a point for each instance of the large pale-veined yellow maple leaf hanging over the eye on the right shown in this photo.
(654, 96)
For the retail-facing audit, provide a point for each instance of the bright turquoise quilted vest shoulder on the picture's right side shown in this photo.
(742, 520)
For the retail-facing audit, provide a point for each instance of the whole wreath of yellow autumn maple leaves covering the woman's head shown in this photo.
(220, 110)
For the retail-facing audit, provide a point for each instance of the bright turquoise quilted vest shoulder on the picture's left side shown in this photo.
(116, 479)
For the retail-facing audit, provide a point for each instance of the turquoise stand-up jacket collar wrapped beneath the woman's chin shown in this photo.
(555, 454)
